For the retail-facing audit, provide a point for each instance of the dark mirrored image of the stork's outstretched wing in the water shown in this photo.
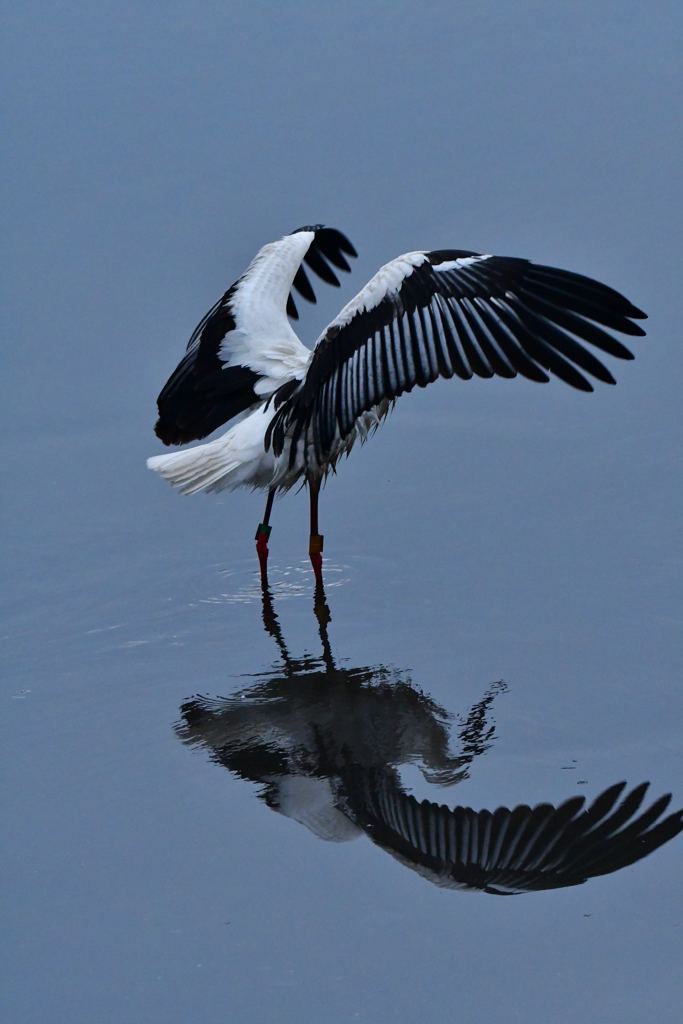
(515, 851)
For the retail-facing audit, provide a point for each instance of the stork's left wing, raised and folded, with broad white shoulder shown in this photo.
(245, 349)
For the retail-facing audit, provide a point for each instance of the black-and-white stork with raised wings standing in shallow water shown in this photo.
(447, 313)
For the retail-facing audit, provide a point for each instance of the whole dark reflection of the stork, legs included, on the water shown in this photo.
(326, 744)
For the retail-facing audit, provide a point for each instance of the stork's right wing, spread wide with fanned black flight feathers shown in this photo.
(431, 315)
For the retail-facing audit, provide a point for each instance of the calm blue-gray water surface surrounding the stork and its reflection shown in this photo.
(491, 531)
